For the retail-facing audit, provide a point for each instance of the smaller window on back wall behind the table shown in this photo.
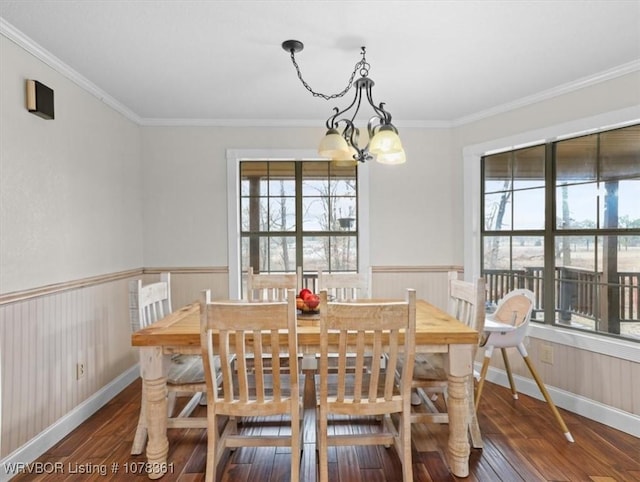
(298, 214)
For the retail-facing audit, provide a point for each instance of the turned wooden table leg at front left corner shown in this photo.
(154, 368)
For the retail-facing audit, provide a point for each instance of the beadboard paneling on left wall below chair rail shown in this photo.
(43, 339)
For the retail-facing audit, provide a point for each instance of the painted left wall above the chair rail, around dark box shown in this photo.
(70, 199)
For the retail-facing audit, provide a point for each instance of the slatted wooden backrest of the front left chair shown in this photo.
(250, 332)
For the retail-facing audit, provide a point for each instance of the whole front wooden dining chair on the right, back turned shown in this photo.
(371, 393)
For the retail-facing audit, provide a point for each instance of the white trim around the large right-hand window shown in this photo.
(472, 222)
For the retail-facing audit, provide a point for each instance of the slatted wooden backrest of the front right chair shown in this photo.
(367, 331)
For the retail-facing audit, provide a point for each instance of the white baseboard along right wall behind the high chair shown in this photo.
(620, 420)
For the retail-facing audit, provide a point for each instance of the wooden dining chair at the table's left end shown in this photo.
(148, 304)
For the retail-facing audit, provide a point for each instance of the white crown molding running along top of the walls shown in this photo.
(52, 61)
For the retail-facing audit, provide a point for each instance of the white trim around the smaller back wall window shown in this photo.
(234, 156)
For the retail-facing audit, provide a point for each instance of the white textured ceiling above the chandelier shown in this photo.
(432, 61)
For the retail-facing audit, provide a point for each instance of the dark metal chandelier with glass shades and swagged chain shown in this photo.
(340, 143)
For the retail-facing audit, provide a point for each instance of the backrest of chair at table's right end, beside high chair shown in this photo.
(466, 301)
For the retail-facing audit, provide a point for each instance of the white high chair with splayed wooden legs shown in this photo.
(507, 328)
